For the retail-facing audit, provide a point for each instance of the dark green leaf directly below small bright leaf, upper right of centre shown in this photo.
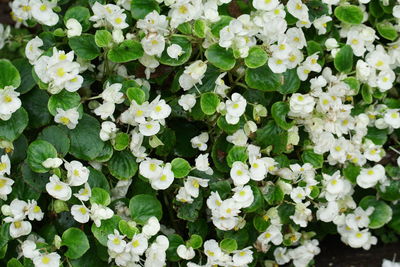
(263, 79)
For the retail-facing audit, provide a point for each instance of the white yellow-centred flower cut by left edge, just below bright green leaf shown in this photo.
(9, 102)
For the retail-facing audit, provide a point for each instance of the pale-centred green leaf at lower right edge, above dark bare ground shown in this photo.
(382, 212)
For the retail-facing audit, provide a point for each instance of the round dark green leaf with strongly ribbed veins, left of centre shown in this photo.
(123, 165)
